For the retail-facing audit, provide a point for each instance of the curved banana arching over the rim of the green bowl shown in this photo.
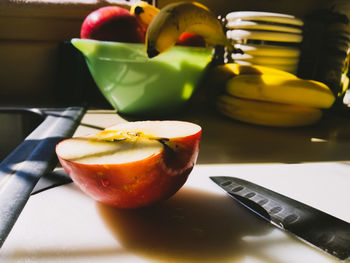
(179, 17)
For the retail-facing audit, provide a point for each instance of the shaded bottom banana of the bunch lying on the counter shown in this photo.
(267, 113)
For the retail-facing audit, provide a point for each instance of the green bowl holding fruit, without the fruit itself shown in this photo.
(134, 84)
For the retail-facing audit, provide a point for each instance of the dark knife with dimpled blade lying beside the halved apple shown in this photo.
(324, 231)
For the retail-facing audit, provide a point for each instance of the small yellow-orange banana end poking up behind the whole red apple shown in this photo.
(144, 12)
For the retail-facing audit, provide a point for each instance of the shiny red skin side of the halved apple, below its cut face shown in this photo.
(141, 183)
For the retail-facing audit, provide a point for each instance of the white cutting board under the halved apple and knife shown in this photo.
(199, 224)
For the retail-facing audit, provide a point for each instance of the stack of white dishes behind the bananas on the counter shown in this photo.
(269, 39)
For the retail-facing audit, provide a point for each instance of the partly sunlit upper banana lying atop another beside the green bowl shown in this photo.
(281, 89)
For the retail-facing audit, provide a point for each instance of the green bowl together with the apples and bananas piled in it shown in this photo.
(154, 78)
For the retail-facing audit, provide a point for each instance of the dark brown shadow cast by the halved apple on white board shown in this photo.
(192, 226)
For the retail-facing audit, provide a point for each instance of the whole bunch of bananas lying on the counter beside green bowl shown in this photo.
(271, 97)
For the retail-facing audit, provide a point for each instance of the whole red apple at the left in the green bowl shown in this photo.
(112, 23)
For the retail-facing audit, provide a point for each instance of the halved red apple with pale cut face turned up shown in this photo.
(132, 164)
